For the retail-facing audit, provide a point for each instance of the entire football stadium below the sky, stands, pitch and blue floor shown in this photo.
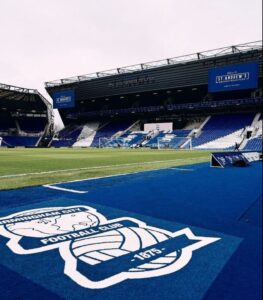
(151, 189)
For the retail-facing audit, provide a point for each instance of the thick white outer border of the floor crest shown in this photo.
(71, 261)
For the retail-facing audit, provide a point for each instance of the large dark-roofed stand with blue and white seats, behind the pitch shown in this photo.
(173, 90)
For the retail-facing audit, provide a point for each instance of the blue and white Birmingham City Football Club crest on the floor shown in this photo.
(98, 252)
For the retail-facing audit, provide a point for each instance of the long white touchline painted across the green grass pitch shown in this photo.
(99, 167)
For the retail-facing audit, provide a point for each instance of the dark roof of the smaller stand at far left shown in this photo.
(14, 98)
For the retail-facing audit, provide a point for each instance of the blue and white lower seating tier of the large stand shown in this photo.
(222, 131)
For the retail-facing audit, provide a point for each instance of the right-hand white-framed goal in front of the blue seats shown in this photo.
(176, 143)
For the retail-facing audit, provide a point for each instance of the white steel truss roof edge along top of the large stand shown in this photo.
(241, 48)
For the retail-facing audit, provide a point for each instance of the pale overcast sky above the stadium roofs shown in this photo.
(43, 40)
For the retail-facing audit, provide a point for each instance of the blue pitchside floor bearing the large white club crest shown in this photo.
(191, 232)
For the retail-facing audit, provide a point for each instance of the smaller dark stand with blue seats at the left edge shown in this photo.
(26, 117)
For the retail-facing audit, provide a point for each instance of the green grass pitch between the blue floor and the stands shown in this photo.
(21, 167)
